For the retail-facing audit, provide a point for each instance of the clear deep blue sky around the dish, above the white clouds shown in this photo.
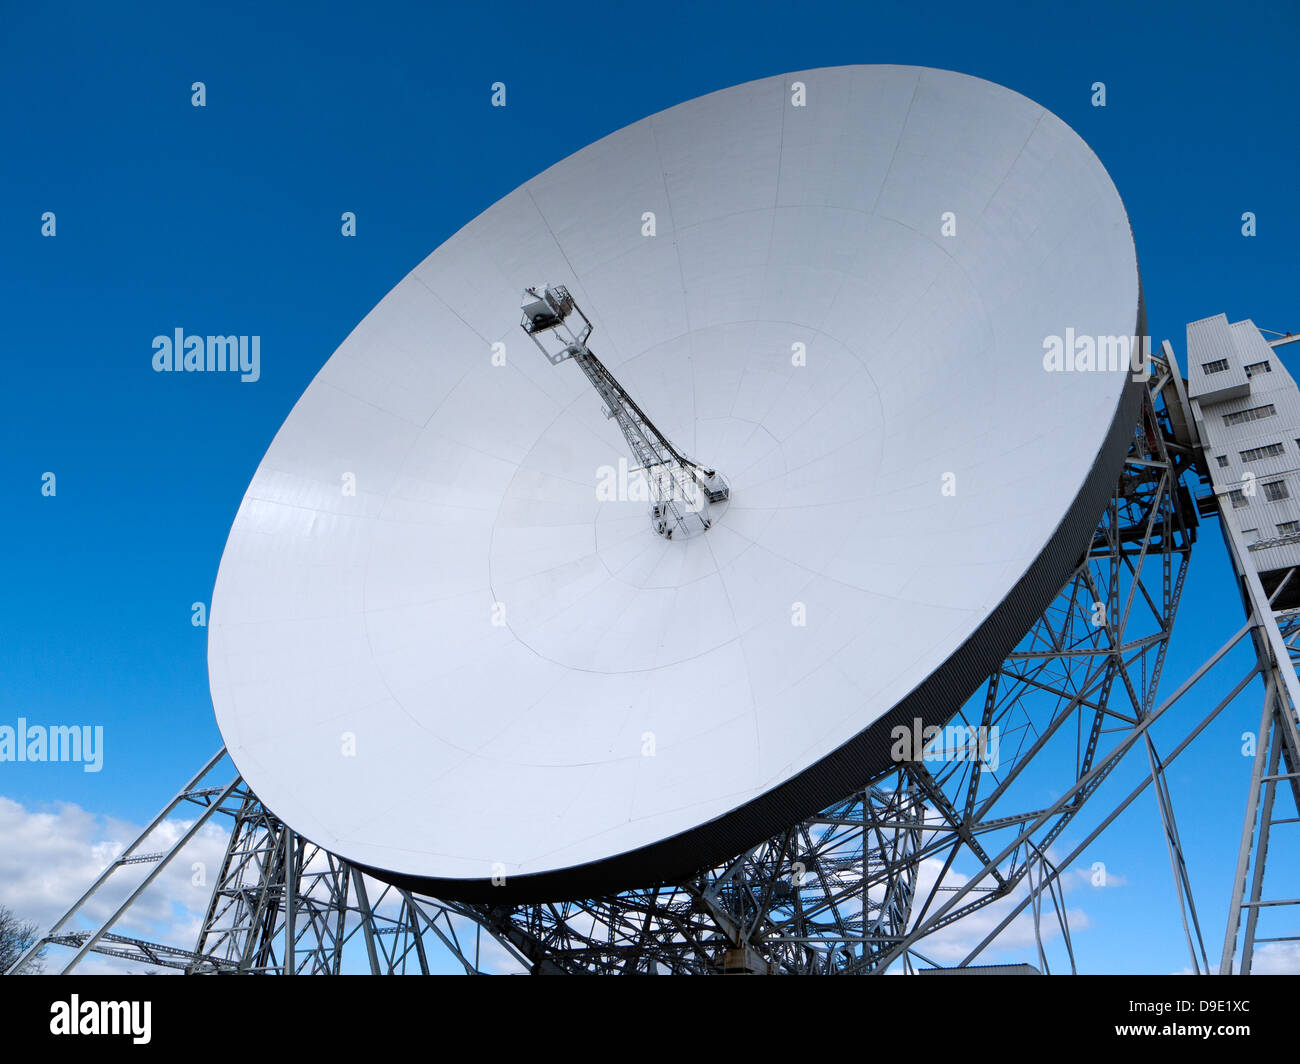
(227, 220)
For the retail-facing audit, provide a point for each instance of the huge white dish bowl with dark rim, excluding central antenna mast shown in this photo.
(480, 665)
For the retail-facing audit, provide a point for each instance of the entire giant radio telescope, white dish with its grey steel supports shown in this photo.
(590, 624)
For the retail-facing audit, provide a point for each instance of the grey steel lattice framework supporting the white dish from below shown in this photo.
(869, 884)
